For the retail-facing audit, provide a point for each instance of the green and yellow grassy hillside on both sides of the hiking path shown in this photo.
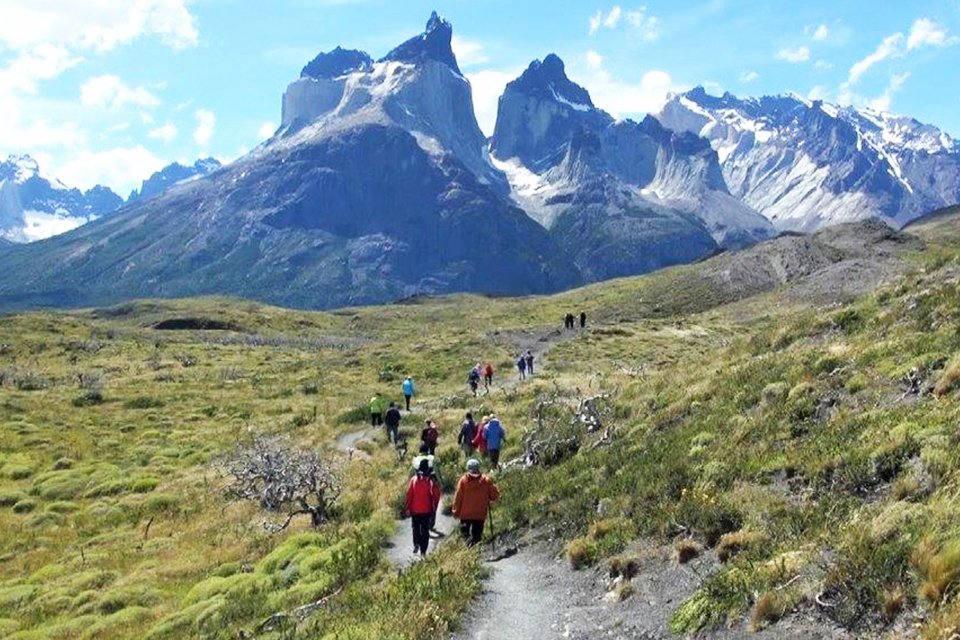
(805, 437)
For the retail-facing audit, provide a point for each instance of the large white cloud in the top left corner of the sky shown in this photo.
(99, 25)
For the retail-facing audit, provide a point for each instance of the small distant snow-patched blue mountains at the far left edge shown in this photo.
(34, 206)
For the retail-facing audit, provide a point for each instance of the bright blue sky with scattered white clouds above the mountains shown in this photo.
(108, 91)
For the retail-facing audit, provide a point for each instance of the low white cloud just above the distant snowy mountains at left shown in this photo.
(121, 168)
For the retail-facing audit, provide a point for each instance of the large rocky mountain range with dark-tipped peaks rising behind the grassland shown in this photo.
(379, 185)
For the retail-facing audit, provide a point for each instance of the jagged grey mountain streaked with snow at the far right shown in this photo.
(806, 164)
